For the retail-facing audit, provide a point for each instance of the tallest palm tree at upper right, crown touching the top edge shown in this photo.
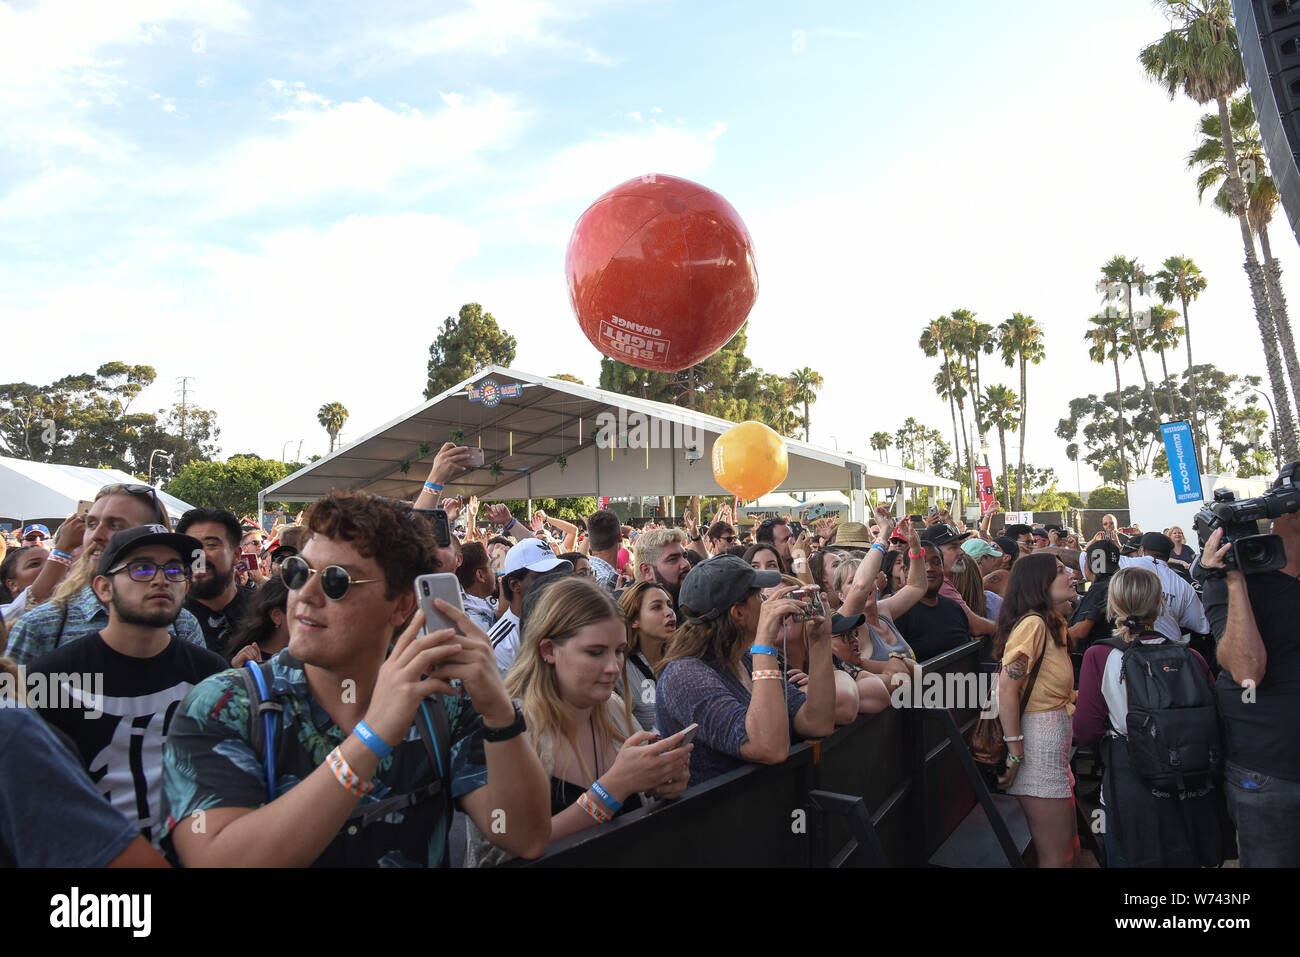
(1201, 58)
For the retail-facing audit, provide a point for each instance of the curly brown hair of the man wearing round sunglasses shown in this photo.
(380, 529)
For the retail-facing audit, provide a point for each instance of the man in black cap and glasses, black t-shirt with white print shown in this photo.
(141, 672)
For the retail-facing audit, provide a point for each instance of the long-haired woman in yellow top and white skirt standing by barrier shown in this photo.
(1032, 634)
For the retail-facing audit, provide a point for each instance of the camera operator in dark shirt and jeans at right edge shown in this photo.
(1259, 692)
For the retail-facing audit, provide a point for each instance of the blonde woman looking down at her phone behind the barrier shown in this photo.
(571, 656)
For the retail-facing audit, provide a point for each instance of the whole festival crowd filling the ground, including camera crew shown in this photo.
(207, 694)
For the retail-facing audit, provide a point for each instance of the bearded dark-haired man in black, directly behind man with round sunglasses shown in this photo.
(215, 599)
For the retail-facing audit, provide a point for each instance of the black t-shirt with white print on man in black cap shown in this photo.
(123, 747)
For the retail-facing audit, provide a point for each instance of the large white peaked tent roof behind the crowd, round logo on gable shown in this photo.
(527, 436)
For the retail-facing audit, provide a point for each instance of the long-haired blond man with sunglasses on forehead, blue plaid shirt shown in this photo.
(81, 613)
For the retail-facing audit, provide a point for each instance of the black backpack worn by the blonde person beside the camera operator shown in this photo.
(1173, 735)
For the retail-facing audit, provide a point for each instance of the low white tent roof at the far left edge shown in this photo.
(46, 493)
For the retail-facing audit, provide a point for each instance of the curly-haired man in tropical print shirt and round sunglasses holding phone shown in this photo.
(358, 776)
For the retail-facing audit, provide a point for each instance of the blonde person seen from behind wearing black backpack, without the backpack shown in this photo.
(1142, 829)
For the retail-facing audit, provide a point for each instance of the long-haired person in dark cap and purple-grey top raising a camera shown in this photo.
(723, 670)
